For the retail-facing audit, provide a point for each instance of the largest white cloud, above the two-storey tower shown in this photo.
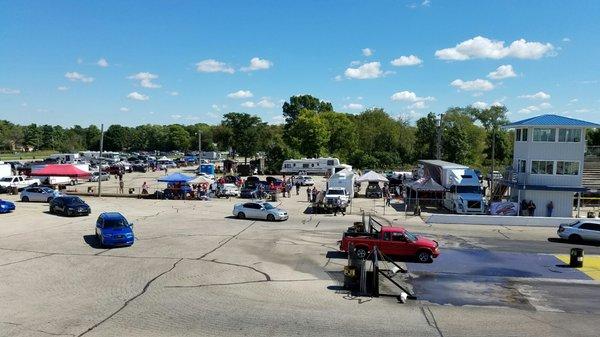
(482, 47)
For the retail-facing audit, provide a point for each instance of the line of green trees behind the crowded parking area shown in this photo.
(370, 139)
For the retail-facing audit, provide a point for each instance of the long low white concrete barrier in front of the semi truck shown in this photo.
(496, 220)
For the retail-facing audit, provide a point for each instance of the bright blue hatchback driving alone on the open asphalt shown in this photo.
(112, 229)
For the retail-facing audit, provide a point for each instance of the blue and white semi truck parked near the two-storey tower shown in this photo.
(464, 194)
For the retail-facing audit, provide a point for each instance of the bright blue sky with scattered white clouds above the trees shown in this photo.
(136, 62)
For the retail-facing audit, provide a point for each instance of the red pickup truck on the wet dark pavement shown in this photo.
(391, 241)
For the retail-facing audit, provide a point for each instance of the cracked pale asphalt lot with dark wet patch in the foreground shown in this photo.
(195, 270)
